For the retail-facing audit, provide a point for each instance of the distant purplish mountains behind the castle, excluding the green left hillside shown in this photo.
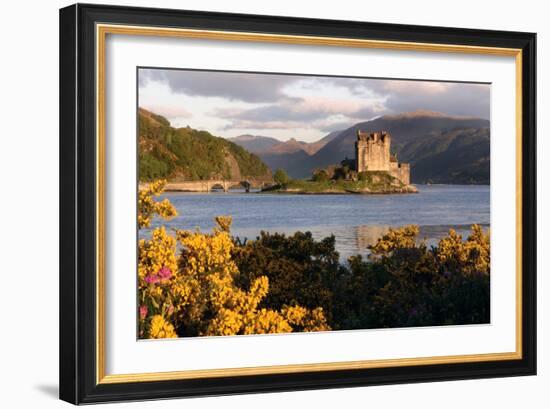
(439, 147)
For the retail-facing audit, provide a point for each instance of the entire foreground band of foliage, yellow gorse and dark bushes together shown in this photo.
(193, 283)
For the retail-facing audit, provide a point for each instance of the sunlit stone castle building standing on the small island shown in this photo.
(372, 153)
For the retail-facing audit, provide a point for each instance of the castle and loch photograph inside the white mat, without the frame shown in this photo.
(281, 202)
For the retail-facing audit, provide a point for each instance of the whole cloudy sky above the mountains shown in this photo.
(306, 108)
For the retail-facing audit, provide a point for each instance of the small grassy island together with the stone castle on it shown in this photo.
(373, 171)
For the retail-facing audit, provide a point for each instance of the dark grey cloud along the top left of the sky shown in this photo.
(229, 85)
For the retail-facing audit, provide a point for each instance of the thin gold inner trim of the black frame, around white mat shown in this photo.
(102, 30)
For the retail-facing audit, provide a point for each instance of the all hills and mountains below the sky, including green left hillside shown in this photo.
(440, 149)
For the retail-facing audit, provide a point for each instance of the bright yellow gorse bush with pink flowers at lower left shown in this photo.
(195, 293)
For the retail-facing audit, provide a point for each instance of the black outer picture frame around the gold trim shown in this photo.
(78, 198)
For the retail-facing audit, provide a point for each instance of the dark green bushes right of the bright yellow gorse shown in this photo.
(403, 283)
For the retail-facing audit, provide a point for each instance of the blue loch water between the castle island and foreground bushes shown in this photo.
(356, 221)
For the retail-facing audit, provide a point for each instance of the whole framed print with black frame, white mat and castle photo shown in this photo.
(257, 203)
